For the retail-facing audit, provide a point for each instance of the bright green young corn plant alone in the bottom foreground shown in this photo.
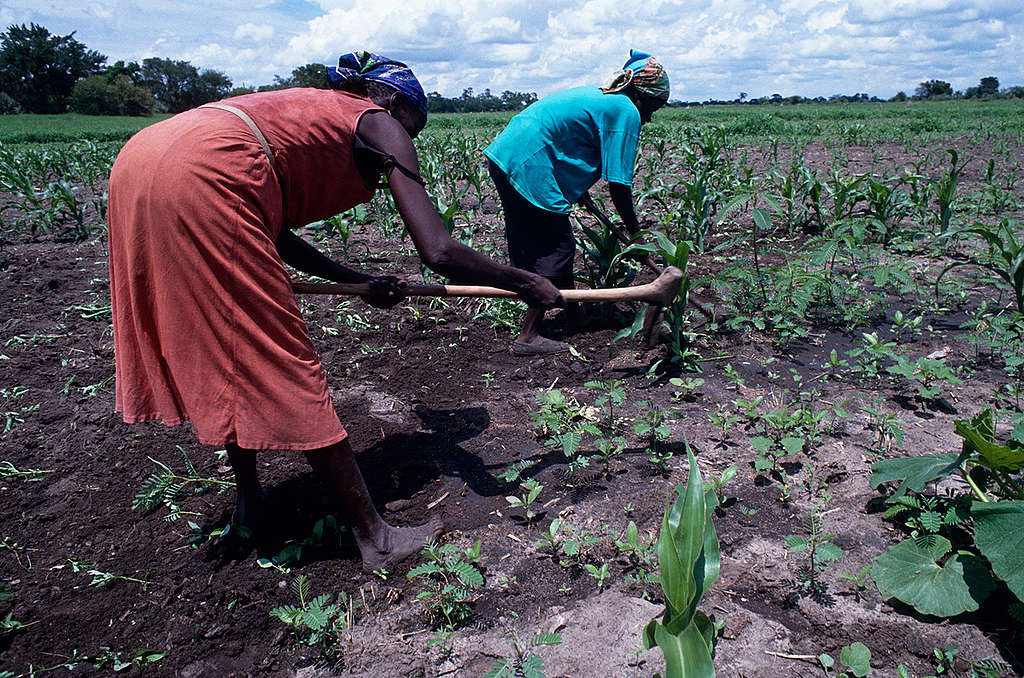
(690, 561)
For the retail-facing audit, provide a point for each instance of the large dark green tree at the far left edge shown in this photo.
(39, 70)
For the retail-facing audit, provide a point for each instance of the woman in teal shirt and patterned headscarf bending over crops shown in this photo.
(548, 158)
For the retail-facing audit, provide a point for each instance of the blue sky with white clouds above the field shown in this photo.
(712, 49)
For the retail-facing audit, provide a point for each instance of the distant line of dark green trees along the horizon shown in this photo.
(46, 73)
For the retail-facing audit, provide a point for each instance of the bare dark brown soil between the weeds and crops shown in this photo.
(438, 407)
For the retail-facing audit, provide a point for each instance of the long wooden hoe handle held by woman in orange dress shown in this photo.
(661, 291)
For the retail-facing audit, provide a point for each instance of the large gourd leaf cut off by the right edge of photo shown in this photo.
(999, 532)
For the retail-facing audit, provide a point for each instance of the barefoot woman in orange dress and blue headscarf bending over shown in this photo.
(206, 326)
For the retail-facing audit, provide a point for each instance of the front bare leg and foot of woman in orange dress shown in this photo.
(380, 545)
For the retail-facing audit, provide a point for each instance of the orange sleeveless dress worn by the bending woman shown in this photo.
(206, 327)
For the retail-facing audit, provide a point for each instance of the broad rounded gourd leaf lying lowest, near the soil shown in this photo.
(913, 574)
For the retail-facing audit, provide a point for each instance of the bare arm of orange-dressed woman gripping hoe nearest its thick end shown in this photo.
(438, 249)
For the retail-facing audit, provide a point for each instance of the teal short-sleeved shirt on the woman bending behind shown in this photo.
(560, 147)
